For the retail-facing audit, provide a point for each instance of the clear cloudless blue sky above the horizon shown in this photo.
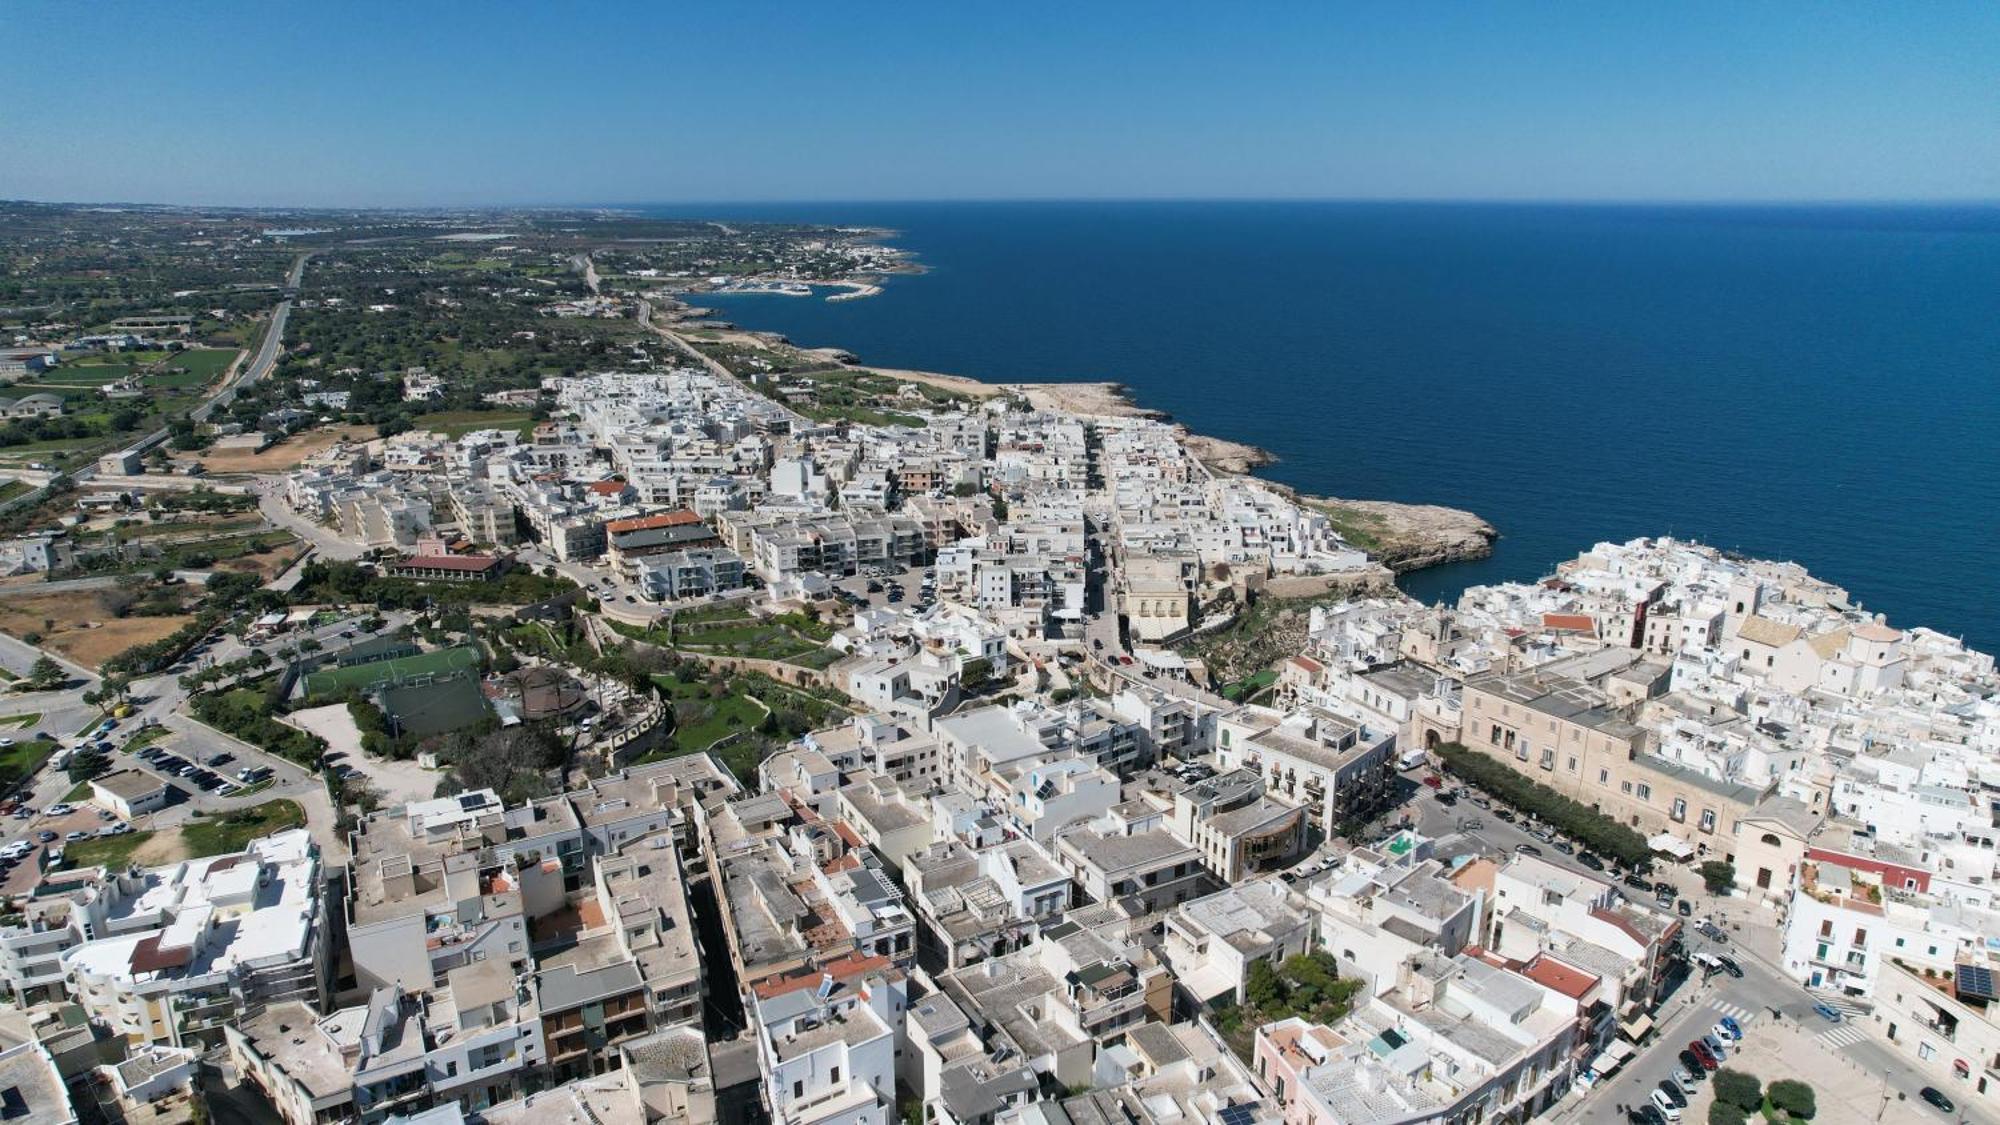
(429, 103)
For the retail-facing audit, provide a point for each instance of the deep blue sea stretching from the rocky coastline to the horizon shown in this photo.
(1813, 383)
